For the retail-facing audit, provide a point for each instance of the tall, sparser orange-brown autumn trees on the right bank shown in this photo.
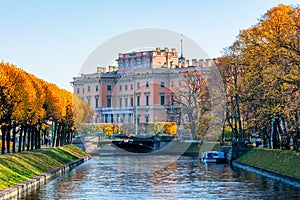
(261, 72)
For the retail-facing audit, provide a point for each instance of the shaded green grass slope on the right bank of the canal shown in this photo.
(284, 162)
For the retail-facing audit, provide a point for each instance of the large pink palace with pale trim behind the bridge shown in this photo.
(138, 89)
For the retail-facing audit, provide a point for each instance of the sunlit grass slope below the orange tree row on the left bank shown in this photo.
(16, 168)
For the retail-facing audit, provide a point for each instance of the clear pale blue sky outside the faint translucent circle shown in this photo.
(52, 39)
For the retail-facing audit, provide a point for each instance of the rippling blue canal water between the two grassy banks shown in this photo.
(160, 177)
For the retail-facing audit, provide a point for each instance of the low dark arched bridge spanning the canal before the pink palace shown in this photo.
(95, 144)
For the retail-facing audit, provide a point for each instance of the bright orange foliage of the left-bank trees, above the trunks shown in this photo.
(28, 100)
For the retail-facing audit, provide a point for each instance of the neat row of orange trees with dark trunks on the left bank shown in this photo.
(29, 105)
